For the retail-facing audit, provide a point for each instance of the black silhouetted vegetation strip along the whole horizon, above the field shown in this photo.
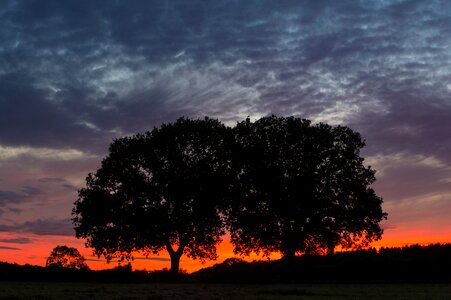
(410, 264)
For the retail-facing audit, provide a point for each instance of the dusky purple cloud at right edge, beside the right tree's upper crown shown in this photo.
(414, 123)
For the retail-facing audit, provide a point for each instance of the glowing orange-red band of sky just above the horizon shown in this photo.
(36, 252)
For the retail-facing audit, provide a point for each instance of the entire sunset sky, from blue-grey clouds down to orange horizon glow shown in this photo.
(76, 74)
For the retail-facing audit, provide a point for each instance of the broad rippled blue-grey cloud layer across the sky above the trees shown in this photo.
(138, 65)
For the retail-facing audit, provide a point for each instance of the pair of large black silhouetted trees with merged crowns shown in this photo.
(277, 184)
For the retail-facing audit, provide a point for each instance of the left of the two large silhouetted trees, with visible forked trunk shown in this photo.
(158, 191)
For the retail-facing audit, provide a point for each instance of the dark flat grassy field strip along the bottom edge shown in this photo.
(36, 290)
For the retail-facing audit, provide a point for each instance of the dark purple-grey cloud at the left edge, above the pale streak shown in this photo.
(28, 117)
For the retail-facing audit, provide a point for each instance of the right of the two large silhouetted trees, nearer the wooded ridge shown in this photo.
(301, 188)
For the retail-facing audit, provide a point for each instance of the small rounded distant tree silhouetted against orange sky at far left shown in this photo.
(66, 257)
